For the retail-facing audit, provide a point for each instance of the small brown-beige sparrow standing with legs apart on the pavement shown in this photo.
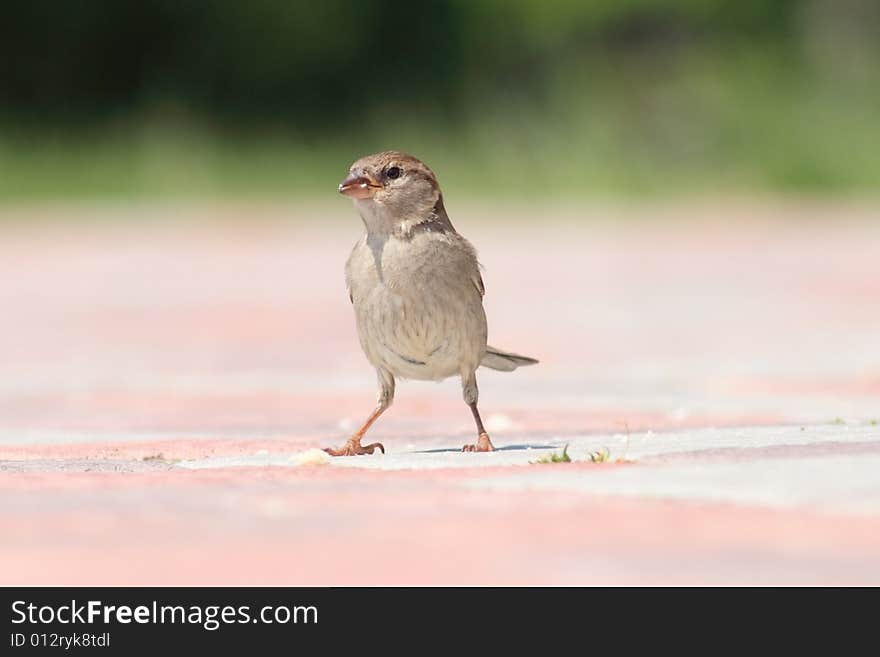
(414, 283)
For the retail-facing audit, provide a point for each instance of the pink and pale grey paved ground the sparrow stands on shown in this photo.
(169, 371)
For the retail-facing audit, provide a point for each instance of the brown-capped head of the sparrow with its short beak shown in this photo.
(393, 185)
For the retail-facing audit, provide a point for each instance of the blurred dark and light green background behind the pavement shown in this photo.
(574, 99)
